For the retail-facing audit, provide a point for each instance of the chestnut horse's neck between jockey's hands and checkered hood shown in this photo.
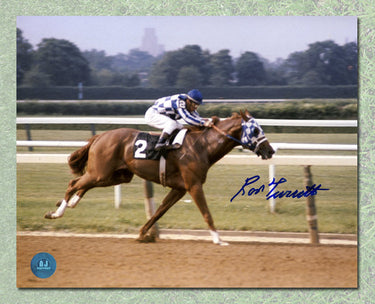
(219, 145)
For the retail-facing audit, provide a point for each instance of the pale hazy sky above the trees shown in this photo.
(270, 37)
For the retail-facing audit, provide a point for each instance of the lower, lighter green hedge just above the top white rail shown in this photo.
(302, 109)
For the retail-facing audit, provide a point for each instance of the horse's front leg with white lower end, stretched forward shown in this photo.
(197, 194)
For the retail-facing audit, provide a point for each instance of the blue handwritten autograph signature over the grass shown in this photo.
(272, 193)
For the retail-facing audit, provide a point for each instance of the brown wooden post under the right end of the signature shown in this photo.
(311, 216)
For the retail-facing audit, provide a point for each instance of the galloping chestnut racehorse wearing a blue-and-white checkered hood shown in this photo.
(108, 159)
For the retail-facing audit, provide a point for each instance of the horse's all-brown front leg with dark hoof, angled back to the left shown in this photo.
(172, 197)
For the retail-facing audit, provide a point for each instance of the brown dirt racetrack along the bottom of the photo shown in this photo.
(124, 263)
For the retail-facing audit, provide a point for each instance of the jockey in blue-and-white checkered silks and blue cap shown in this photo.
(165, 112)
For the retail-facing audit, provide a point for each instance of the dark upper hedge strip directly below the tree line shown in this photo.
(256, 92)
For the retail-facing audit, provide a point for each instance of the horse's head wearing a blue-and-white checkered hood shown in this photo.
(253, 137)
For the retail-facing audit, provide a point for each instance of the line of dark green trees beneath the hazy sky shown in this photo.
(58, 62)
